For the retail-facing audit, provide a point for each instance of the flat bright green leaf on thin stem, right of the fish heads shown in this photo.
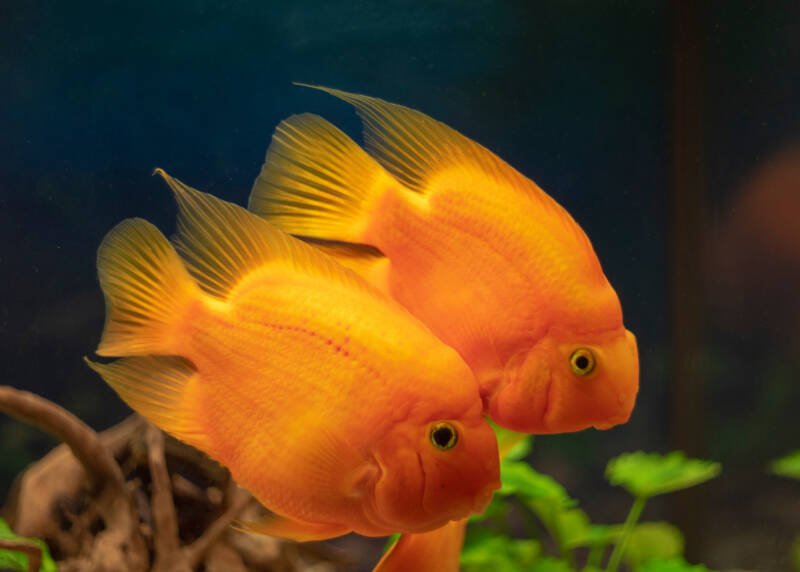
(649, 474)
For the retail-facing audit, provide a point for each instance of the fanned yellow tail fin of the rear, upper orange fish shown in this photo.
(317, 183)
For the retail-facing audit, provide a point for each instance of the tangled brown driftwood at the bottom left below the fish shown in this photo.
(128, 500)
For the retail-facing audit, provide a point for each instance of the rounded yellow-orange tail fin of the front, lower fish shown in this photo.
(147, 291)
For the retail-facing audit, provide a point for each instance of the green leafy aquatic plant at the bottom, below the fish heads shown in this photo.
(560, 534)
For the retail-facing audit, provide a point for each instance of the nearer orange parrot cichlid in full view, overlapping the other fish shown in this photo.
(327, 400)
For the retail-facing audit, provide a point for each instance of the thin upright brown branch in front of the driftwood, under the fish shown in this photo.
(165, 540)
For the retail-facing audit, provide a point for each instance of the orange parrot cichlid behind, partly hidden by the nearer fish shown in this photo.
(487, 260)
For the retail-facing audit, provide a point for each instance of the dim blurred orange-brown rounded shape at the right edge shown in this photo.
(752, 260)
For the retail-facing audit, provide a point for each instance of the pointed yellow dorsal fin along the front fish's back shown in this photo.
(222, 243)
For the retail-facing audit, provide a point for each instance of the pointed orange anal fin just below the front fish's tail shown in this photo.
(160, 389)
